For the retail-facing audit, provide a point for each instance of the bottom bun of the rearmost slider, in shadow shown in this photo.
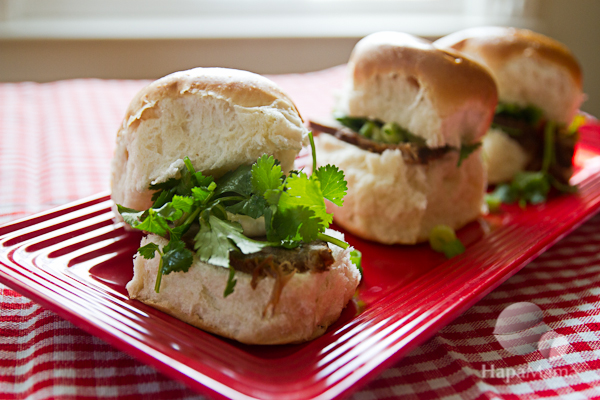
(503, 156)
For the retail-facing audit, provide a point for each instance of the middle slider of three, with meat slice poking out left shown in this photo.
(414, 118)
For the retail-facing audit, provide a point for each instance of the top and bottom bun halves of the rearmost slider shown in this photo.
(530, 69)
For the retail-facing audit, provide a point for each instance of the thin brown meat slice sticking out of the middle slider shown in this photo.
(411, 152)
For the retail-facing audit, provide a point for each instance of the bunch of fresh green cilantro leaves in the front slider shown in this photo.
(293, 208)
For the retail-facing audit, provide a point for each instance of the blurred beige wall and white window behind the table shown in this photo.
(47, 40)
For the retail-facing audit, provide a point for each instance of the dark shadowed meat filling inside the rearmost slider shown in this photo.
(531, 139)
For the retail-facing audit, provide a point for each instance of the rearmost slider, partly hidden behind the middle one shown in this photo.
(539, 91)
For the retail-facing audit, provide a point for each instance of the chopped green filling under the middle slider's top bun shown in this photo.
(392, 133)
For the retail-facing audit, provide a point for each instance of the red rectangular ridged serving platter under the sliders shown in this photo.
(75, 260)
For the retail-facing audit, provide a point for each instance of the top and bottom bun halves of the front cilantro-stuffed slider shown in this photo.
(222, 119)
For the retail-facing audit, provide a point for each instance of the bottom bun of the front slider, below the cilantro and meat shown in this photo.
(309, 302)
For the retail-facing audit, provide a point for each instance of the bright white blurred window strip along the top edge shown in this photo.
(253, 18)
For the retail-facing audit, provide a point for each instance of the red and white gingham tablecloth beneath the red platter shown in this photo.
(56, 142)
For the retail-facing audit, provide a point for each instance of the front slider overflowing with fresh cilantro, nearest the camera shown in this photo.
(234, 246)
